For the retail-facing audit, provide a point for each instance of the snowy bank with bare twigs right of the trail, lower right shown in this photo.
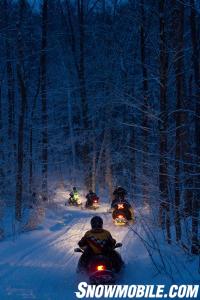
(174, 261)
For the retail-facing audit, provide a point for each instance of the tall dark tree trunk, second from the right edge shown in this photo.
(178, 17)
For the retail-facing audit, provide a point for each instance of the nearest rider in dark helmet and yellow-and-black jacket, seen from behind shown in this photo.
(98, 241)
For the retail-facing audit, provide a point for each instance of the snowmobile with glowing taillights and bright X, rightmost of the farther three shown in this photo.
(122, 214)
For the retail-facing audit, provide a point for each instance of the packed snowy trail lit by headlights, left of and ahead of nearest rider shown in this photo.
(41, 264)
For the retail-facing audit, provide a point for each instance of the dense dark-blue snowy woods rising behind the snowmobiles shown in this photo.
(98, 94)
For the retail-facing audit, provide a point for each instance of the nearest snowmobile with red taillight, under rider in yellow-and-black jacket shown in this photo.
(100, 269)
